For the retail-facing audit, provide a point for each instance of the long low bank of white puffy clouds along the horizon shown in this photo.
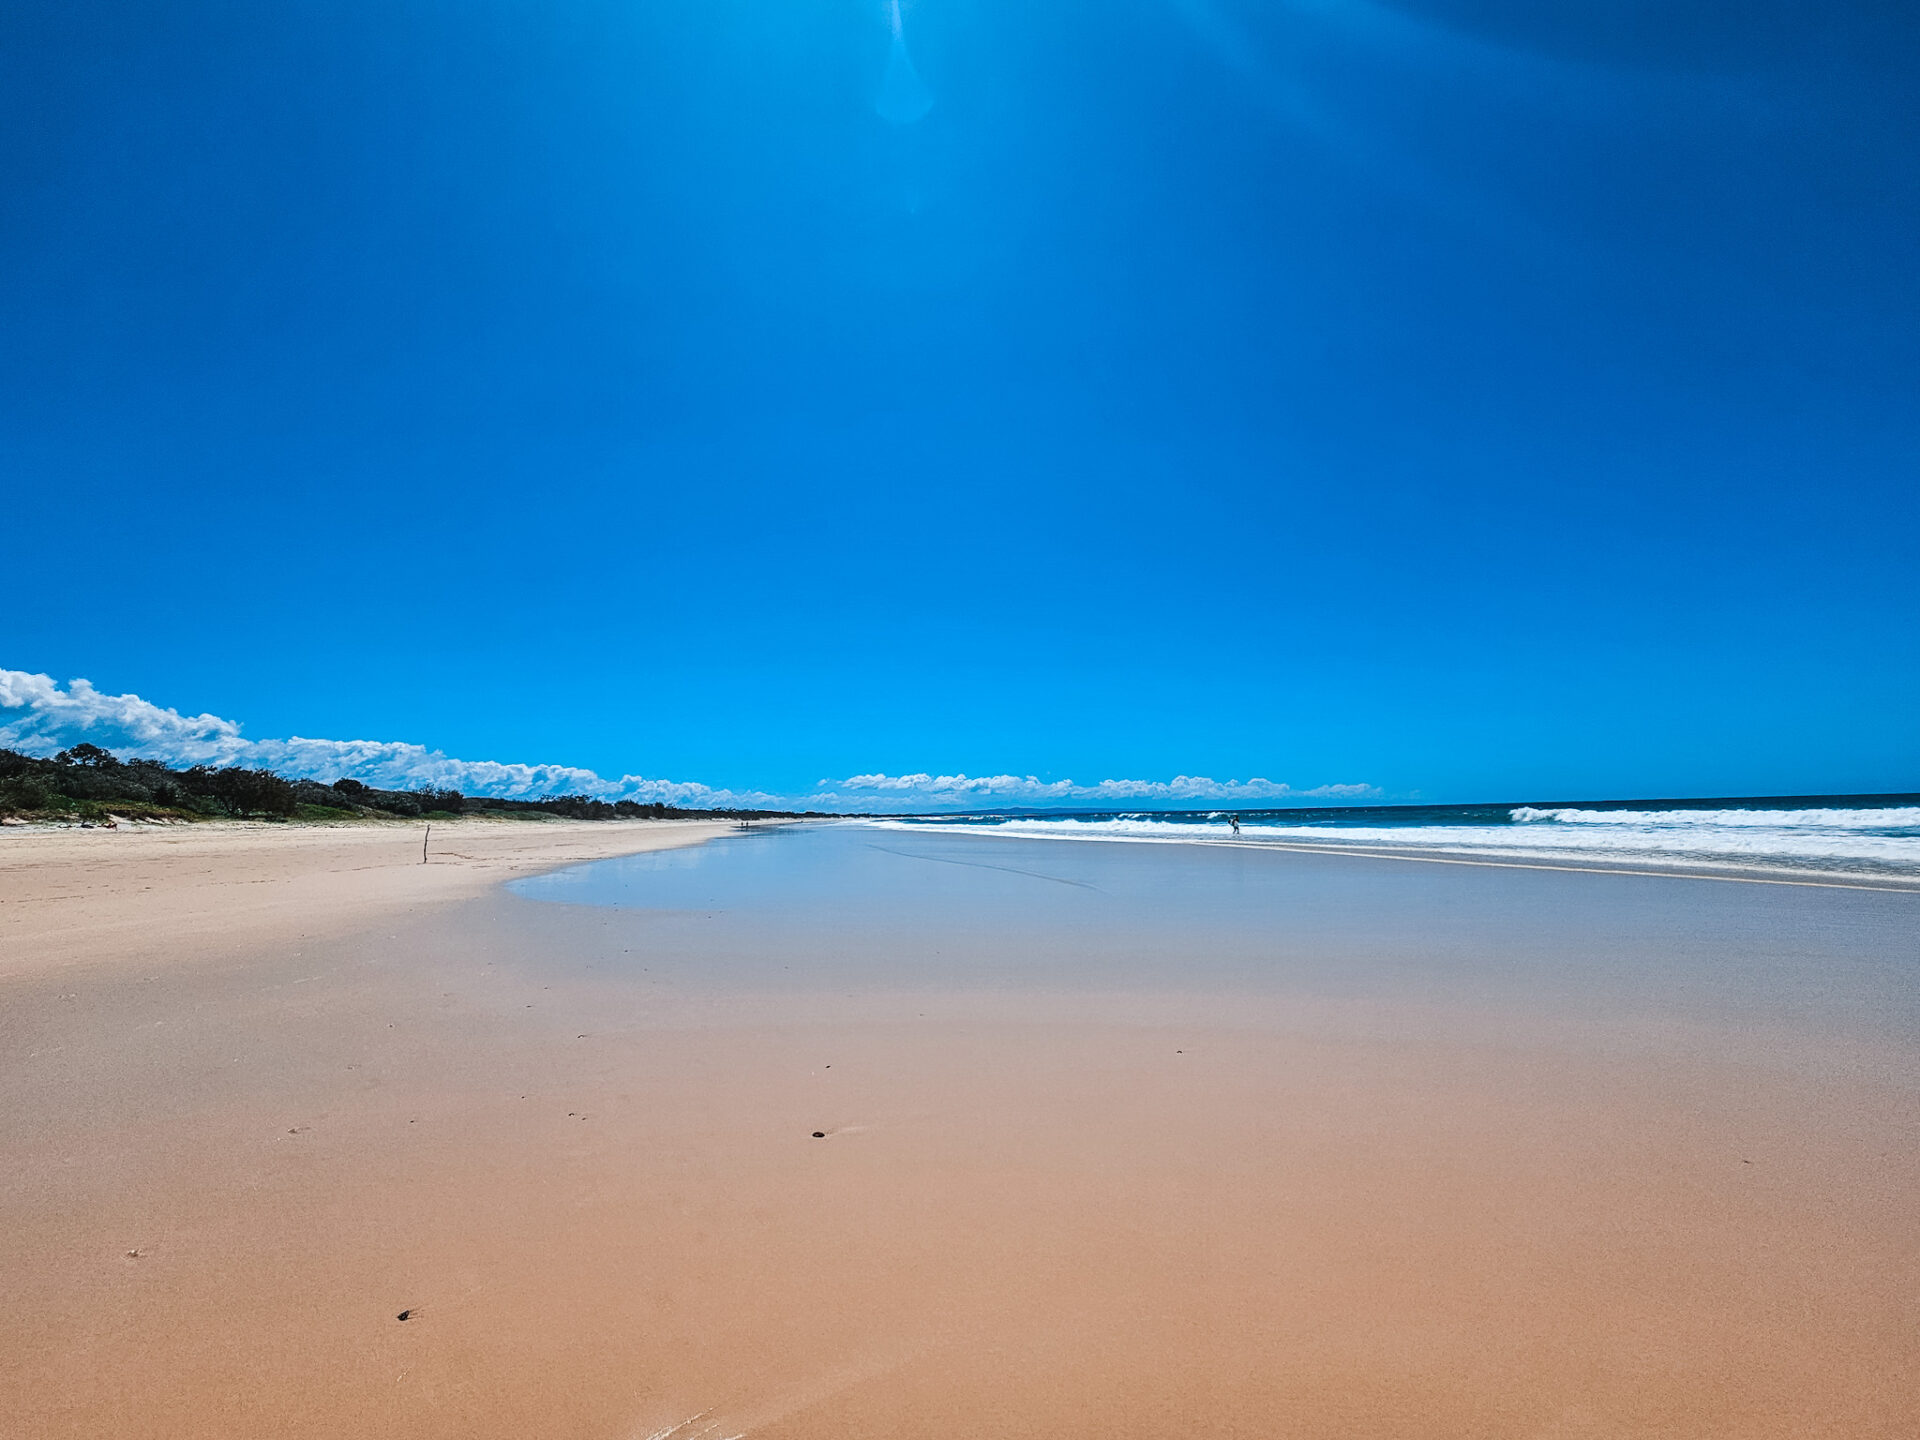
(39, 717)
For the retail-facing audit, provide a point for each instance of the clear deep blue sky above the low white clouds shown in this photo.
(1464, 398)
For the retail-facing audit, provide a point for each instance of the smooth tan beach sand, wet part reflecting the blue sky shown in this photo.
(1368, 1178)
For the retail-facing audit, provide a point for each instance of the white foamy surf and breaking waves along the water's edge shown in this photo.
(1883, 842)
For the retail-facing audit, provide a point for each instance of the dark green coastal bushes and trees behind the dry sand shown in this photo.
(89, 782)
